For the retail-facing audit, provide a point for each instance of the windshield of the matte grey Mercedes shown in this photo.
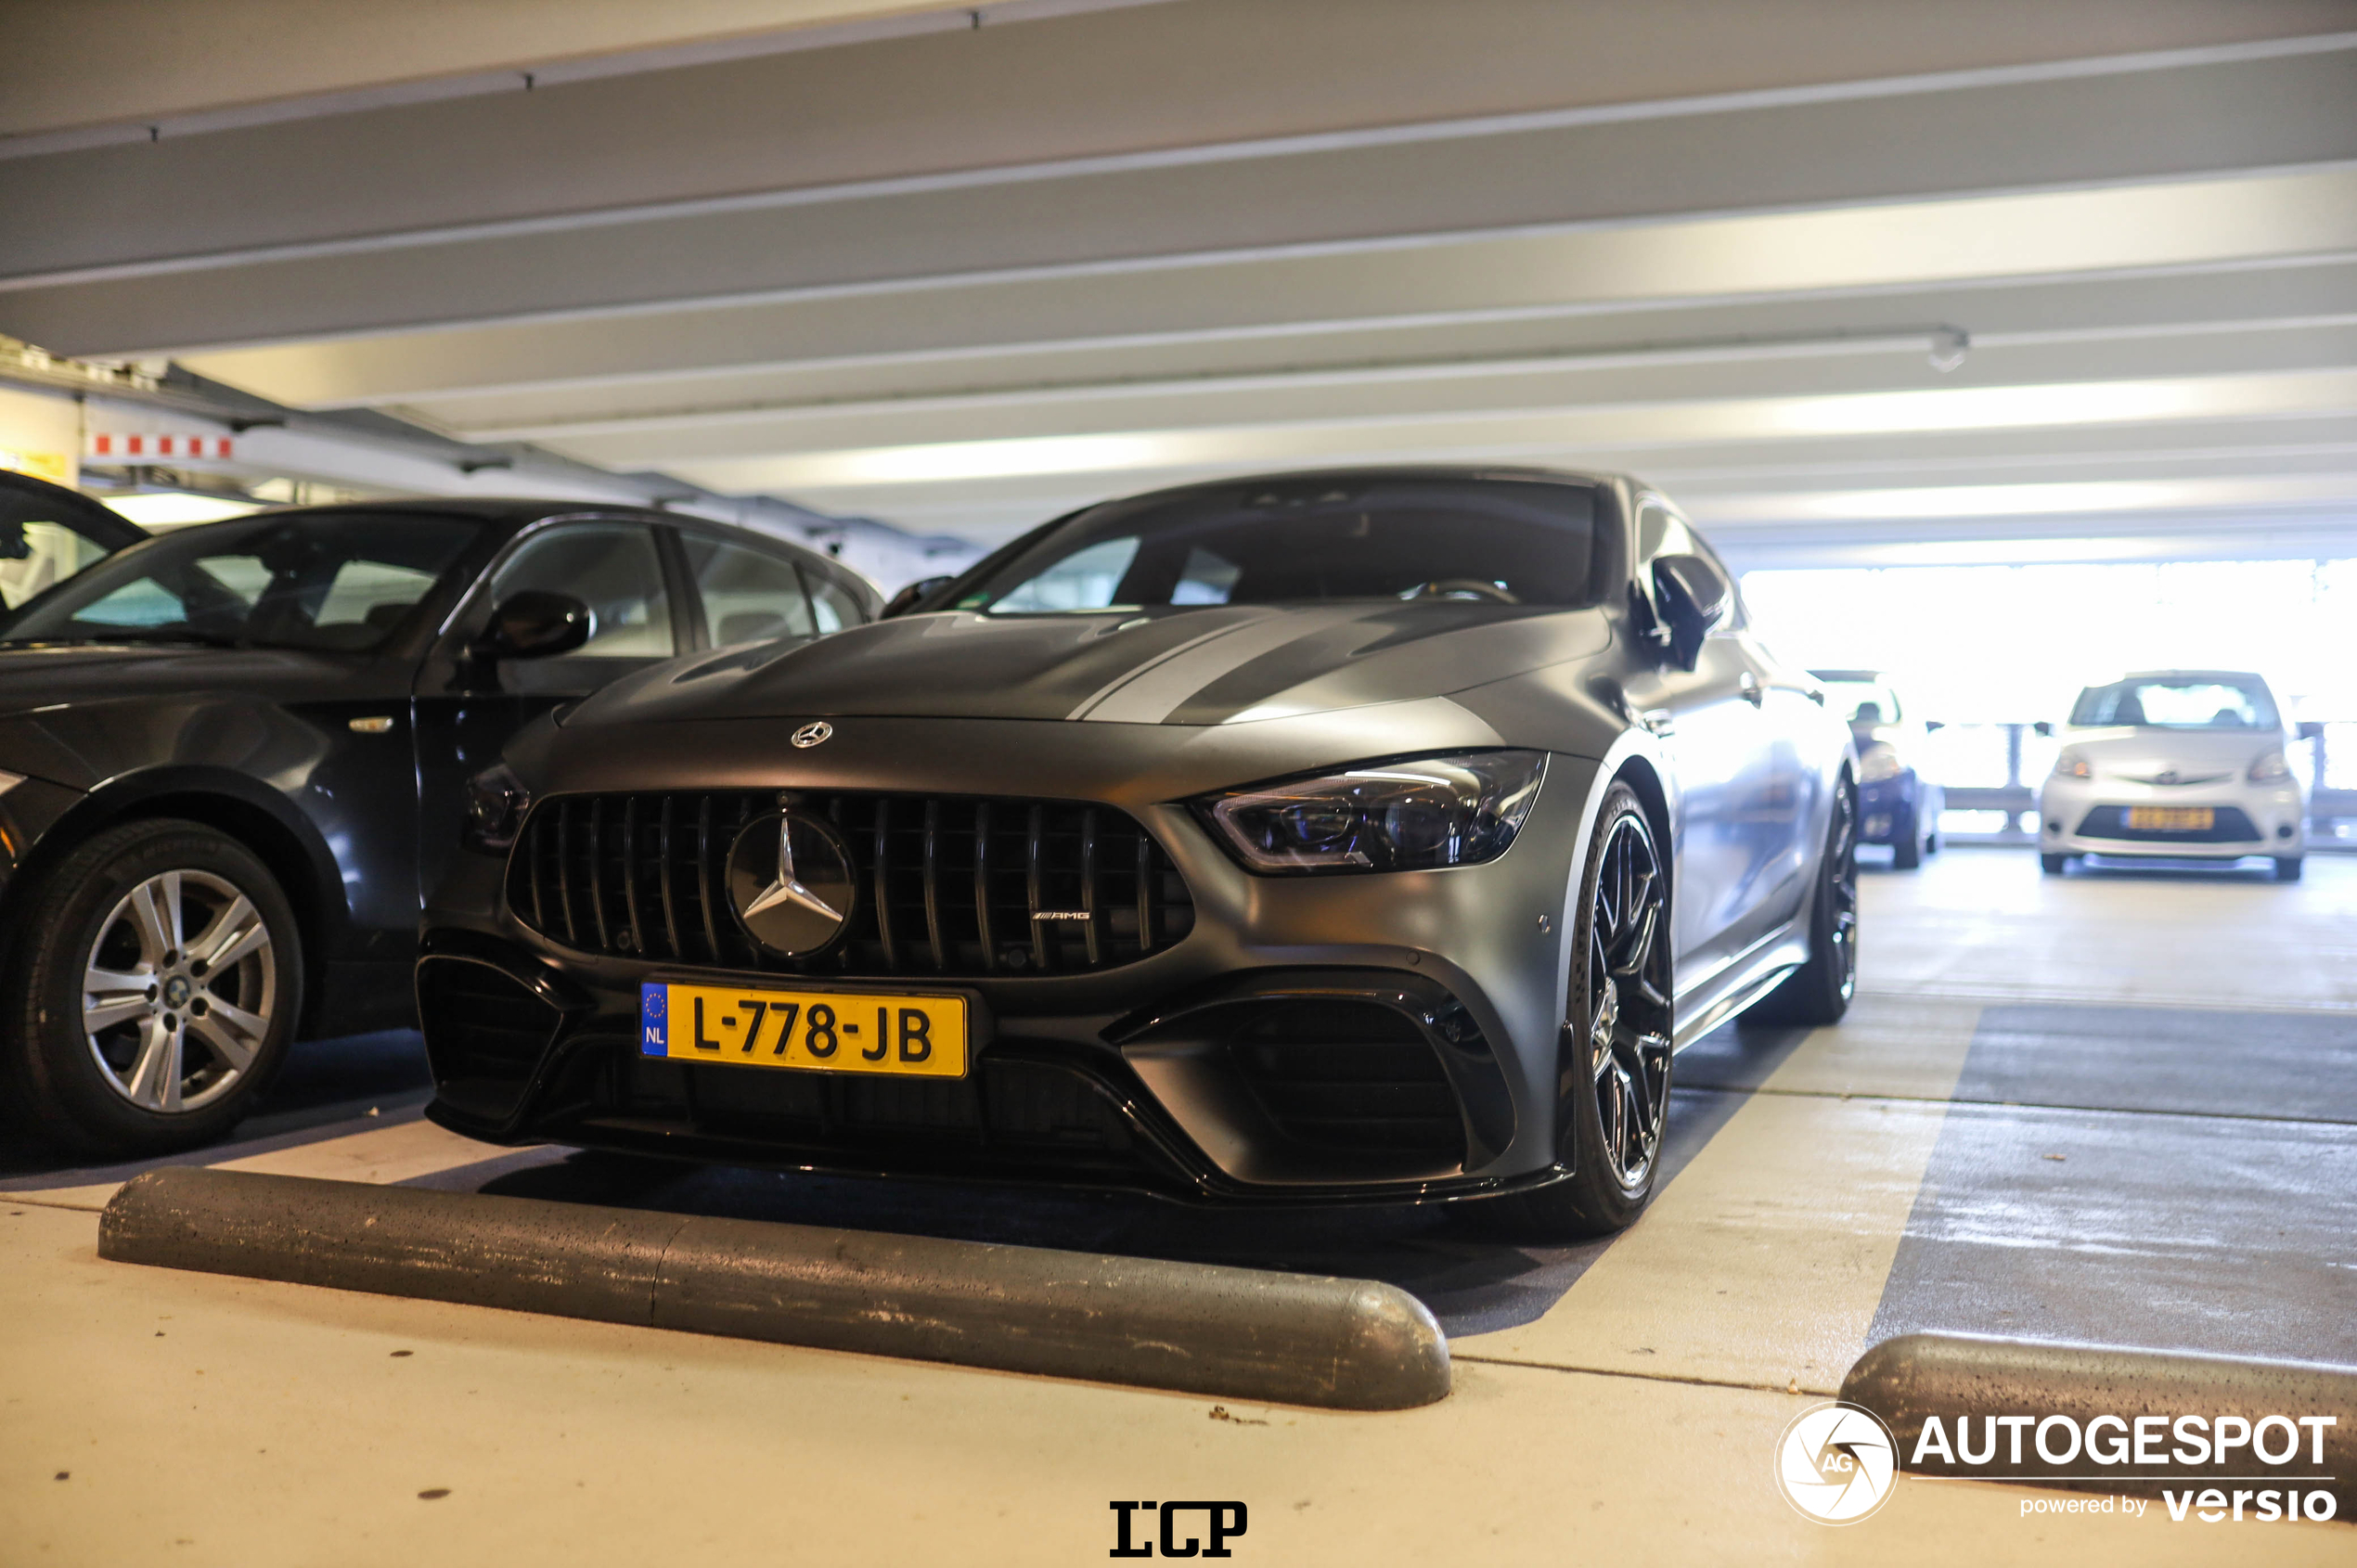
(1503, 541)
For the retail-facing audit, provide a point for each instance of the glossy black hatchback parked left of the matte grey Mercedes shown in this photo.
(232, 758)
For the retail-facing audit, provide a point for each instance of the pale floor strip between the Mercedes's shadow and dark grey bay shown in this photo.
(1767, 1260)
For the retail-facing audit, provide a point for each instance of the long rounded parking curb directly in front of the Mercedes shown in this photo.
(1236, 1333)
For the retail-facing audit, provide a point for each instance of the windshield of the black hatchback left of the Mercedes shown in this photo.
(329, 581)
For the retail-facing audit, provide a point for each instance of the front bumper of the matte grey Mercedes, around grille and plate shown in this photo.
(1201, 1069)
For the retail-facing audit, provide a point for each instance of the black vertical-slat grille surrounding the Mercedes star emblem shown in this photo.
(944, 885)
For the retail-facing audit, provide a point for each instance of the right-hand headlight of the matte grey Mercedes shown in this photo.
(1413, 815)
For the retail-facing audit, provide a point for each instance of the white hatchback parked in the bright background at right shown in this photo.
(2174, 763)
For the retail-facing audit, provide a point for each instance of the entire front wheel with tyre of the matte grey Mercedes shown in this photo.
(1616, 1039)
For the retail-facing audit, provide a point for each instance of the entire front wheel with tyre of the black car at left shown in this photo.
(209, 963)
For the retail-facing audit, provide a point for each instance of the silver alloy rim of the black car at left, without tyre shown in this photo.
(178, 991)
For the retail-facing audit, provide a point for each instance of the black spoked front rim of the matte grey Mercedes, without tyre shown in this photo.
(1630, 1001)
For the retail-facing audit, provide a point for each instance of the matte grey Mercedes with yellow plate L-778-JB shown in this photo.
(1305, 838)
